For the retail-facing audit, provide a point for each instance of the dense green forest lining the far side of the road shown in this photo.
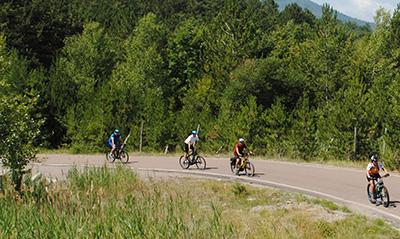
(289, 83)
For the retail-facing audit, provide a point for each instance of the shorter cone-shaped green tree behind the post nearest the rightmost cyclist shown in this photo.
(336, 129)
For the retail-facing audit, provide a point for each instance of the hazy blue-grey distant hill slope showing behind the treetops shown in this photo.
(316, 9)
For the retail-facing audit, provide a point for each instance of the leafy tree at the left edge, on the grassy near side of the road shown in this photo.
(19, 126)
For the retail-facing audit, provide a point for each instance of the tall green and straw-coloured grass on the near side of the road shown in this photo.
(117, 203)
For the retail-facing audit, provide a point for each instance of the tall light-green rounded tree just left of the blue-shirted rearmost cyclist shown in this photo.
(85, 67)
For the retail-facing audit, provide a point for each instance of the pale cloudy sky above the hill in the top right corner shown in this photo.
(362, 9)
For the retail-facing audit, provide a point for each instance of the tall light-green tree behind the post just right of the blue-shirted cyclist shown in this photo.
(138, 85)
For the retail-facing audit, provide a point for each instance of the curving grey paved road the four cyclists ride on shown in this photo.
(342, 185)
